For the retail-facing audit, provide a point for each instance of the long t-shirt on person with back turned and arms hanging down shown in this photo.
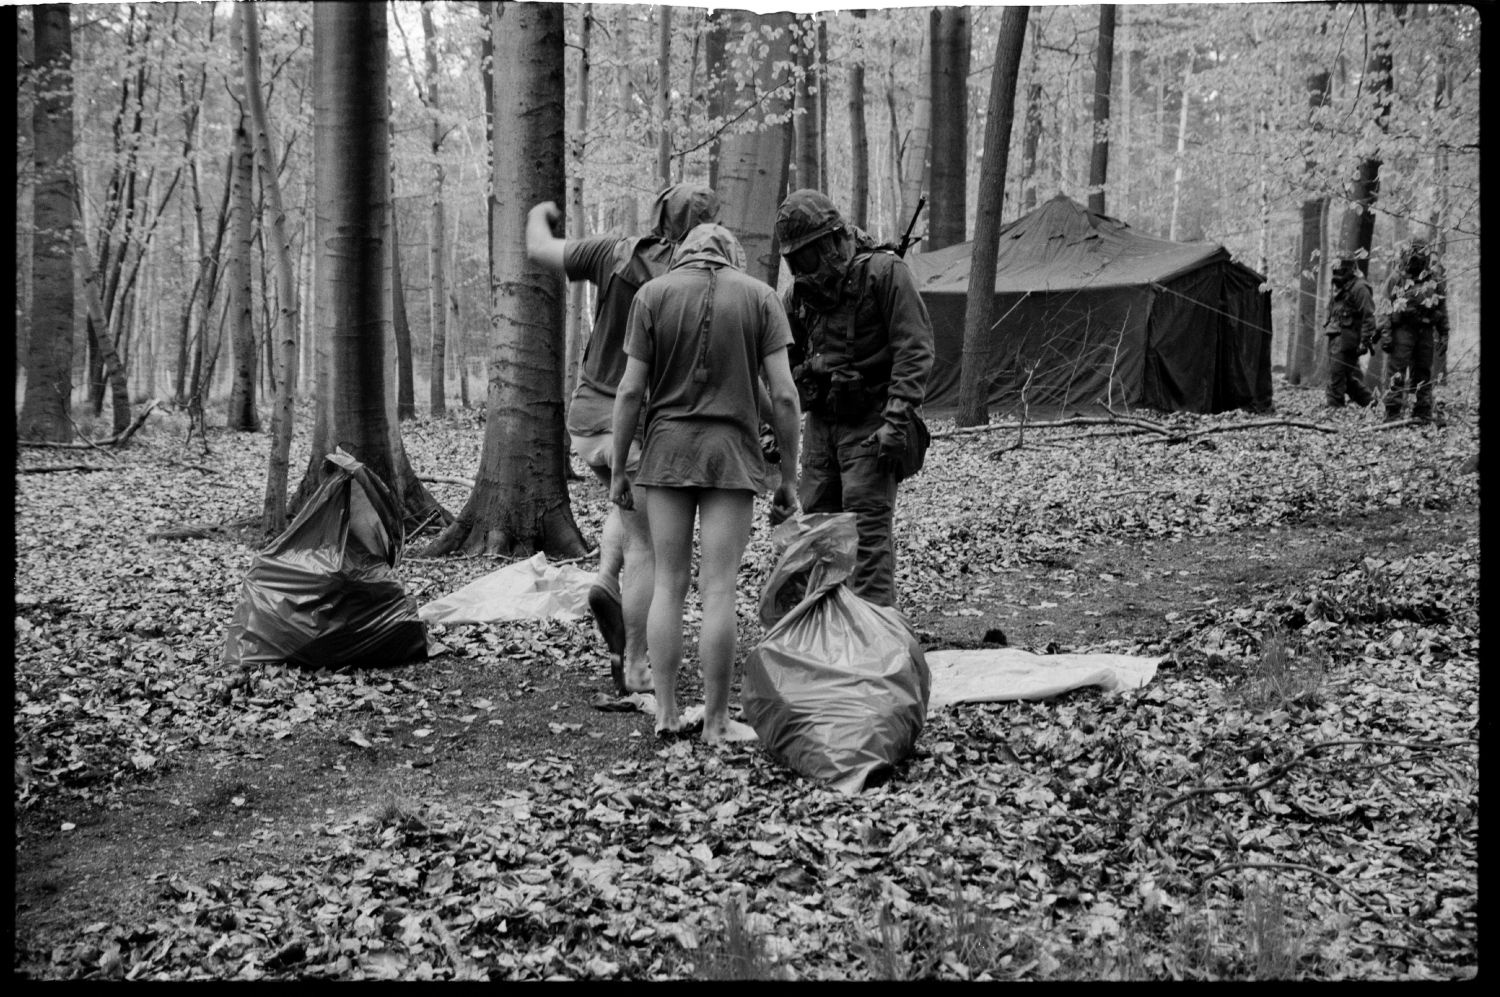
(703, 430)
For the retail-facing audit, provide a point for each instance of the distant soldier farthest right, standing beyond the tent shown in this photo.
(1418, 323)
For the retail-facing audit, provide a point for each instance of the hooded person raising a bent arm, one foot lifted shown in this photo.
(617, 268)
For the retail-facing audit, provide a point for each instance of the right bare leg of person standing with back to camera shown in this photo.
(727, 519)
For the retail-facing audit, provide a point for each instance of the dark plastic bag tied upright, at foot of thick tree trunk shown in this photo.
(325, 594)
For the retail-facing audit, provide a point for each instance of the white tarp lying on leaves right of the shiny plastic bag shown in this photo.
(1010, 674)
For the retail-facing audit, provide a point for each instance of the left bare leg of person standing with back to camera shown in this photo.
(671, 513)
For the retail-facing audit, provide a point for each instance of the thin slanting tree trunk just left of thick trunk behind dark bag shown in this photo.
(277, 241)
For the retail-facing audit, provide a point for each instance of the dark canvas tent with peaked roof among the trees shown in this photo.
(1093, 313)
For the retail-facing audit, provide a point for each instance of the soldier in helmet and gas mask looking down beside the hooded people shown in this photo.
(863, 349)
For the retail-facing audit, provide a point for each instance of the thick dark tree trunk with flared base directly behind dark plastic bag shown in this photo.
(356, 407)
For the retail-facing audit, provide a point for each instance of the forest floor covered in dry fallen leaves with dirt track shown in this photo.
(1294, 795)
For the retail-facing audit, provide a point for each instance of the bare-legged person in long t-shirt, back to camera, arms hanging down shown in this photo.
(698, 338)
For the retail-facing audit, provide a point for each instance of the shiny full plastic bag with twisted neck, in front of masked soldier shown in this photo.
(838, 690)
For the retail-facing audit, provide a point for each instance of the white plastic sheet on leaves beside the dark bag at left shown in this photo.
(529, 590)
